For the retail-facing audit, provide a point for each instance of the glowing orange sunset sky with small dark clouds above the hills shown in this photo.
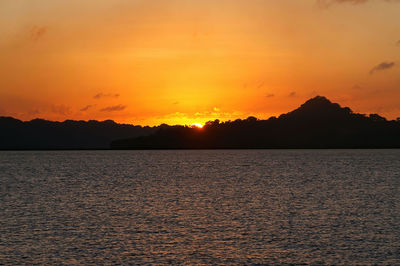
(148, 62)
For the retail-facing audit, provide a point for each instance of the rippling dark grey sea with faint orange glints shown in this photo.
(275, 207)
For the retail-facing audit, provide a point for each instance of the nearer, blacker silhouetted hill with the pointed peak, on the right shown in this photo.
(318, 123)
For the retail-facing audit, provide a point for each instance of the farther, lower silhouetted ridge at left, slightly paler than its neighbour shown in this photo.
(43, 134)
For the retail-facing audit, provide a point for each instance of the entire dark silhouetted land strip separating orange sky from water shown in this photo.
(318, 123)
